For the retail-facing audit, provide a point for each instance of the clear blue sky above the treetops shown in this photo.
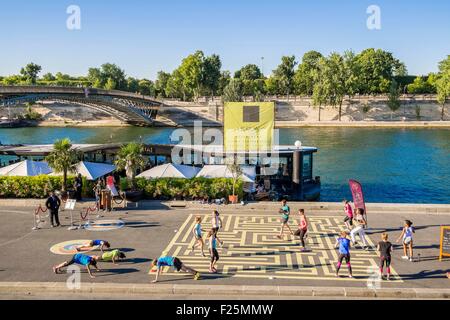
(144, 37)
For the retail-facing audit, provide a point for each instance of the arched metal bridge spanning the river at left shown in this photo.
(128, 107)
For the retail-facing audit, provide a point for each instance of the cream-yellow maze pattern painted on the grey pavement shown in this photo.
(252, 249)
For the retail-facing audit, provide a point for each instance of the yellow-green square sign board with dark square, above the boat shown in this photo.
(248, 126)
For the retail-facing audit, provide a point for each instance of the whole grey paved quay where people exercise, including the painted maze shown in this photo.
(253, 261)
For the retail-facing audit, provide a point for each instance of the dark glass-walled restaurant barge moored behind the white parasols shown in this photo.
(284, 172)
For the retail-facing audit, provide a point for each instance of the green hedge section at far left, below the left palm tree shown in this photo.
(37, 186)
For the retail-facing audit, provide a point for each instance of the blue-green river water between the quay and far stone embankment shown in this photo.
(394, 165)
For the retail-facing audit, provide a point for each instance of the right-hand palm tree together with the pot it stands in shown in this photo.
(130, 159)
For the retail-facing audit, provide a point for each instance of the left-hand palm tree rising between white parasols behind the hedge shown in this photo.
(62, 158)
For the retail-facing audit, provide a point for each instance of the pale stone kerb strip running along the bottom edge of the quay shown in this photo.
(30, 288)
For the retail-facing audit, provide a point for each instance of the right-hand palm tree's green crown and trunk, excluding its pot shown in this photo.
(130, 159)
